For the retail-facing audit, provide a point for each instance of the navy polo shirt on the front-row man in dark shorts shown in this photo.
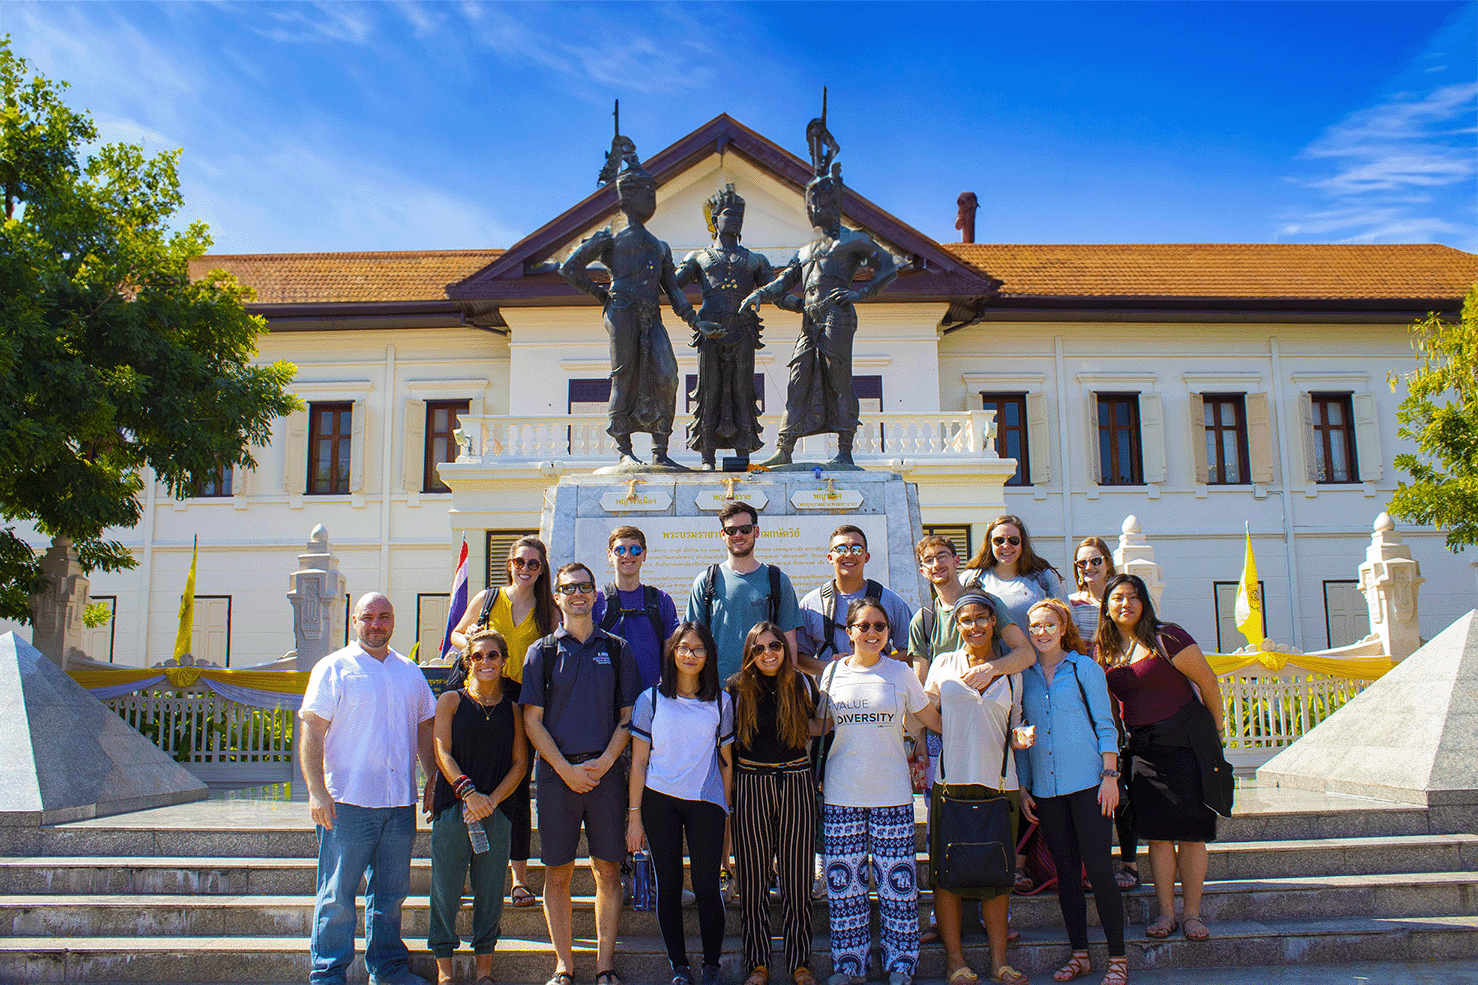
(582, 706)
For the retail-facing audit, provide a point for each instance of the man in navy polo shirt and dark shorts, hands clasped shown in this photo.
(579, 688)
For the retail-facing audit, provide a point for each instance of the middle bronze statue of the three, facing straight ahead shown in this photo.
(725, 413)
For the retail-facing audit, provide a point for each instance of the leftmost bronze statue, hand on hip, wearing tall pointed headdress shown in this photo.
(644, 372)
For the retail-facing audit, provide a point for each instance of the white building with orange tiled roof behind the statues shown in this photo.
(1199, 388)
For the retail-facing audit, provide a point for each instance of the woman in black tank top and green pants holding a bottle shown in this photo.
(483, 758)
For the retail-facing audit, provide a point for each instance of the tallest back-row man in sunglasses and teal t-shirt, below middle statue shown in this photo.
(732, 597)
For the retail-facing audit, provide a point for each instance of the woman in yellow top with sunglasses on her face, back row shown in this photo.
(524, 613)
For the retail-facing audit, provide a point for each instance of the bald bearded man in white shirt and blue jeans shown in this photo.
(367, 718)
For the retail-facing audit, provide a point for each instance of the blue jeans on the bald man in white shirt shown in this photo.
(369, 844)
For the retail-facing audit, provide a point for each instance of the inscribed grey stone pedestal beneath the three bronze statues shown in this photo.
(679, 515)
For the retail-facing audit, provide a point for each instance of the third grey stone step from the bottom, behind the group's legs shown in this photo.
(296, 876)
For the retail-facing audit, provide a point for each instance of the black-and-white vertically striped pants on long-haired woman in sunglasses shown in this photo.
(772, 826)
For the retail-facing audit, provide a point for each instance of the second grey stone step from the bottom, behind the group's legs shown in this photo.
(1327, 897)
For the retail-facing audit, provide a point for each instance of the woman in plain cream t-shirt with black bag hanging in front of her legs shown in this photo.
(978, 709)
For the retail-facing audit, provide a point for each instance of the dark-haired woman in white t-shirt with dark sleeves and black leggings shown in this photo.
(681, 786)
